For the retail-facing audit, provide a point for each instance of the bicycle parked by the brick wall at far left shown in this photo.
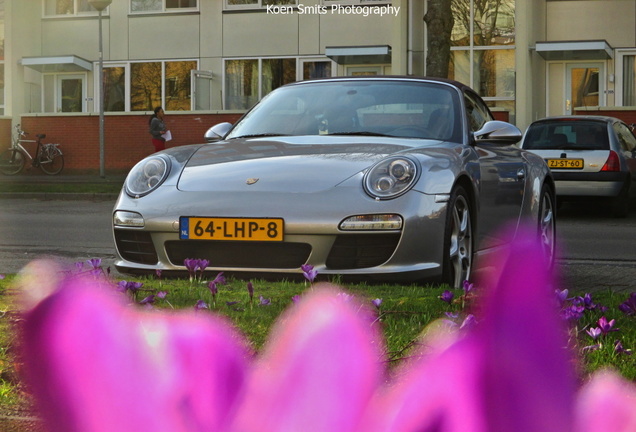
(48, 157)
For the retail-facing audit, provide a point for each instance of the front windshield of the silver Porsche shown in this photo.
(377, 108)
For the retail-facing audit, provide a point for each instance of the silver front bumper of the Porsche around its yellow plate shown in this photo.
(312, 235)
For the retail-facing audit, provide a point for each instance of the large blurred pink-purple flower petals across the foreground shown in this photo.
(96, 365)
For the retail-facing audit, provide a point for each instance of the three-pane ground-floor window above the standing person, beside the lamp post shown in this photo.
(141, 86)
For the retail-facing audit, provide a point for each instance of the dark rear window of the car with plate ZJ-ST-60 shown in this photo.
(567, 135)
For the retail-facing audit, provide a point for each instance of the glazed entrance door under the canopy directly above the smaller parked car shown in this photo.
(585, 86)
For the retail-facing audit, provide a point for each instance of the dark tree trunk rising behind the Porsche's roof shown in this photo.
(439, 26)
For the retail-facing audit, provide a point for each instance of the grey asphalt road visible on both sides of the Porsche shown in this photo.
(596, 251)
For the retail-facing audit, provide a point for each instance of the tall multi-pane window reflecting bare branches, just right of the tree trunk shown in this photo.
(483, 49)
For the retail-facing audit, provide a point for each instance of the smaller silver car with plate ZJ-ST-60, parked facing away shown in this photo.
(590, 157)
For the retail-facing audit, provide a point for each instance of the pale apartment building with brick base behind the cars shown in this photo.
(202, 59)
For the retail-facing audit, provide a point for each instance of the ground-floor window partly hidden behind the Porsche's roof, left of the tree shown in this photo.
(248, 80)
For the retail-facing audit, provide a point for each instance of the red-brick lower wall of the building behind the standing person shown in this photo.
(126, 137)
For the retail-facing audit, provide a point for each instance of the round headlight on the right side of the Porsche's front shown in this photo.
(391, 177)
